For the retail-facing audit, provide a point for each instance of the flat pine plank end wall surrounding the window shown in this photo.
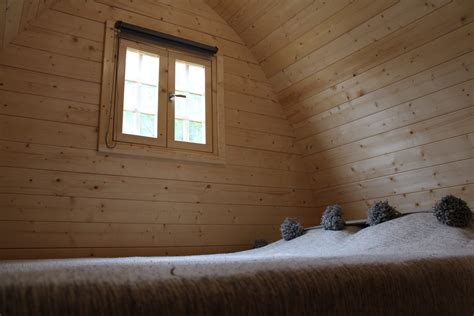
(59, 197)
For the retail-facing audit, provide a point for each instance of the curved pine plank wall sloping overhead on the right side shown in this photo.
(380, 93)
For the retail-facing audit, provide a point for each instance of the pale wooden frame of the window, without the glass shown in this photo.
(107, 143)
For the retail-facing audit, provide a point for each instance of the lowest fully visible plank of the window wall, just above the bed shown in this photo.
(61, 235)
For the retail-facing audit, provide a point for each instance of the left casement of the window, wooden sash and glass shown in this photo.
(141, 110)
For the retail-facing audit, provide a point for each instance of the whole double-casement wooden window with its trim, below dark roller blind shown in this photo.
(160, 101)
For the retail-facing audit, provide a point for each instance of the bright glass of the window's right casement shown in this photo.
(190, 112)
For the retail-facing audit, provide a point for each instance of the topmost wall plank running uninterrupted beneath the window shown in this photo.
(31, 181)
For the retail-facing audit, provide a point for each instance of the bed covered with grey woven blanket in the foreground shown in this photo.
(412, 265)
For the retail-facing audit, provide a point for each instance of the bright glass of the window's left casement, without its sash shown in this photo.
(140, 115)
